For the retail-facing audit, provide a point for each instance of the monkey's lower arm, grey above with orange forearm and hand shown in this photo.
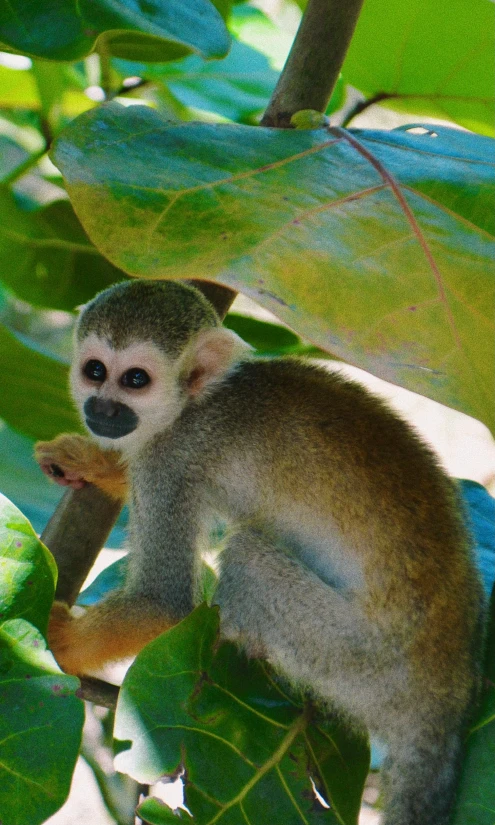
(161, 581)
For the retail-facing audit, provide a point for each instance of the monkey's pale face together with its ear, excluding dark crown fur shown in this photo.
(143, 379)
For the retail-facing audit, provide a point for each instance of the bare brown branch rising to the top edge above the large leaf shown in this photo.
(315, 60)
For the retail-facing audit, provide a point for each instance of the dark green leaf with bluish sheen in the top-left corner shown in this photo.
(152, 30)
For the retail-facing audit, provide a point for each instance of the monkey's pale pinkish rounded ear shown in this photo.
(210, 355)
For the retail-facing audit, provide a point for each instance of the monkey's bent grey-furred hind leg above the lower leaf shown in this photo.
(275, 606)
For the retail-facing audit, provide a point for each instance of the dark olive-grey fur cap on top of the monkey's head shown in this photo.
(165, 312)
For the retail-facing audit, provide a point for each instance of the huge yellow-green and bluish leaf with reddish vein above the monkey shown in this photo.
(374, 246)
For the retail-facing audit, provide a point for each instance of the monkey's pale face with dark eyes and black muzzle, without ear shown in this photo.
(125, 396)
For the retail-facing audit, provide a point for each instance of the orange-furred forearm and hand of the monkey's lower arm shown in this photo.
(114, 629)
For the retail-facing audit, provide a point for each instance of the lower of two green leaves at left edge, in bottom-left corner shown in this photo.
(40, 727)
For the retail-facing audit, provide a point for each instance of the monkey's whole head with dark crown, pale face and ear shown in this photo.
(143, 351)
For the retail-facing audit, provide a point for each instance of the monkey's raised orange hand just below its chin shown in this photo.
(73, 460)
